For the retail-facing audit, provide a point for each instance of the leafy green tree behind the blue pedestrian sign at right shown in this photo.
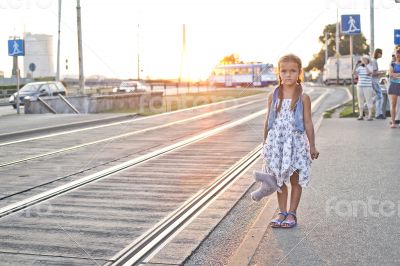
(360, 46)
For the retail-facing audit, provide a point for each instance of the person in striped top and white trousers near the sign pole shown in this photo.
(364, 87)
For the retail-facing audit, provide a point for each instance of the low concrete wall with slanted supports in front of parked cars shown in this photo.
(95, 104)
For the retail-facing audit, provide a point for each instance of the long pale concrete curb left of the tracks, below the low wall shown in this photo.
(66, 126)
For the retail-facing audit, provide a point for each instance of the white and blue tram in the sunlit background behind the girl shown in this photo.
(244, 75)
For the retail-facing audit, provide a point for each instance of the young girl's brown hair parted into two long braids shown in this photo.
(285, 59)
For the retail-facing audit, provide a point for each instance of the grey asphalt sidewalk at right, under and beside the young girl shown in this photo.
(350, 213)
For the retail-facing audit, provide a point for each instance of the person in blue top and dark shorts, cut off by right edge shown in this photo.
(394, 87)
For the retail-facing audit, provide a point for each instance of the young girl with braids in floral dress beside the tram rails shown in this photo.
(289, 142)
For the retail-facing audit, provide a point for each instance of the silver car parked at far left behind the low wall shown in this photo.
(34, 90)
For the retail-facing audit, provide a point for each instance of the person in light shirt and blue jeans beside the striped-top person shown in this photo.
(375, 84)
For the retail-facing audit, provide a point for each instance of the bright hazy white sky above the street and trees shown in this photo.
(257, 30)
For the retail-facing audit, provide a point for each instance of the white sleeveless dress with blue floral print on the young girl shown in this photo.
(286, 150)
